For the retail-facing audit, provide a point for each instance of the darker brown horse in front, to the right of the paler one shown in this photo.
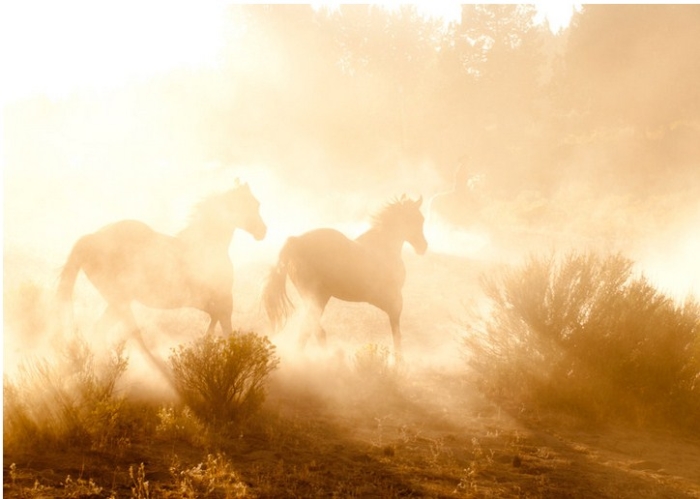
(324, 263)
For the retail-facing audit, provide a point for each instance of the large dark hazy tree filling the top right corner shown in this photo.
(626, 90)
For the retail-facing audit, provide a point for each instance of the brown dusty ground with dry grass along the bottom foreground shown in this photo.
(413, 443)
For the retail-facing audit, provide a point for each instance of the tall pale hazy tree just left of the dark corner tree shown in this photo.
(492, 91)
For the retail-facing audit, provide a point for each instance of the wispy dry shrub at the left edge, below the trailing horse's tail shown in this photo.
(68, 401)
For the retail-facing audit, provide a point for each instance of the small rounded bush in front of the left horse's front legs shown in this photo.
(223, 379)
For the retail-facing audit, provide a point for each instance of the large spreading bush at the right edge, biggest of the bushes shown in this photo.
(583, 334)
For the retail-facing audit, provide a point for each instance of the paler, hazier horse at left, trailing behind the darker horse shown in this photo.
(128, 261)
